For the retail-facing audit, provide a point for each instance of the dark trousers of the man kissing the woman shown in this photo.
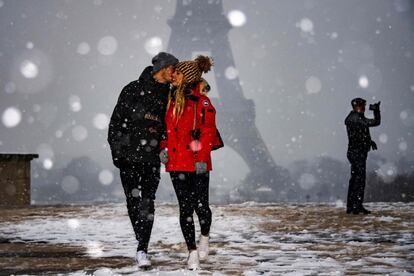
(140, 184)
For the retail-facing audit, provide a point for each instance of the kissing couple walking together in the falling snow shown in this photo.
(166, 117)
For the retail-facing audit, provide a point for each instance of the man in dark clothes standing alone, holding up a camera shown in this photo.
(360, 143)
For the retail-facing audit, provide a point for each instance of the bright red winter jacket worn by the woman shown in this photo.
(183, 150)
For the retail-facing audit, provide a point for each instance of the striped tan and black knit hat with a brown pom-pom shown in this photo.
(192, 69)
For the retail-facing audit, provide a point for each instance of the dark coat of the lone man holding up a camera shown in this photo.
(357, 126)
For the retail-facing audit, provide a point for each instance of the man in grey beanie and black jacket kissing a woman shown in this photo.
(135, 131)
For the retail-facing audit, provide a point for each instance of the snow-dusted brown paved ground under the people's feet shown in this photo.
(246, 239)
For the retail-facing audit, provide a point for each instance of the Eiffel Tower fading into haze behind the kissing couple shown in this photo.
(201, 26)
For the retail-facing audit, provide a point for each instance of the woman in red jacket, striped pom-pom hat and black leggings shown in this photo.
(191, 131)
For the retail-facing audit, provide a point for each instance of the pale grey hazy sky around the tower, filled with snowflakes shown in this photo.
(64, 63)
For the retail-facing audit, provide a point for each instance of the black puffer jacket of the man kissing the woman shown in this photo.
(137, 123)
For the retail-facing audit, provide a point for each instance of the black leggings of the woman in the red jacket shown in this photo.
(192, 192)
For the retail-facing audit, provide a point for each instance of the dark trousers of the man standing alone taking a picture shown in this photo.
(356, 188)
